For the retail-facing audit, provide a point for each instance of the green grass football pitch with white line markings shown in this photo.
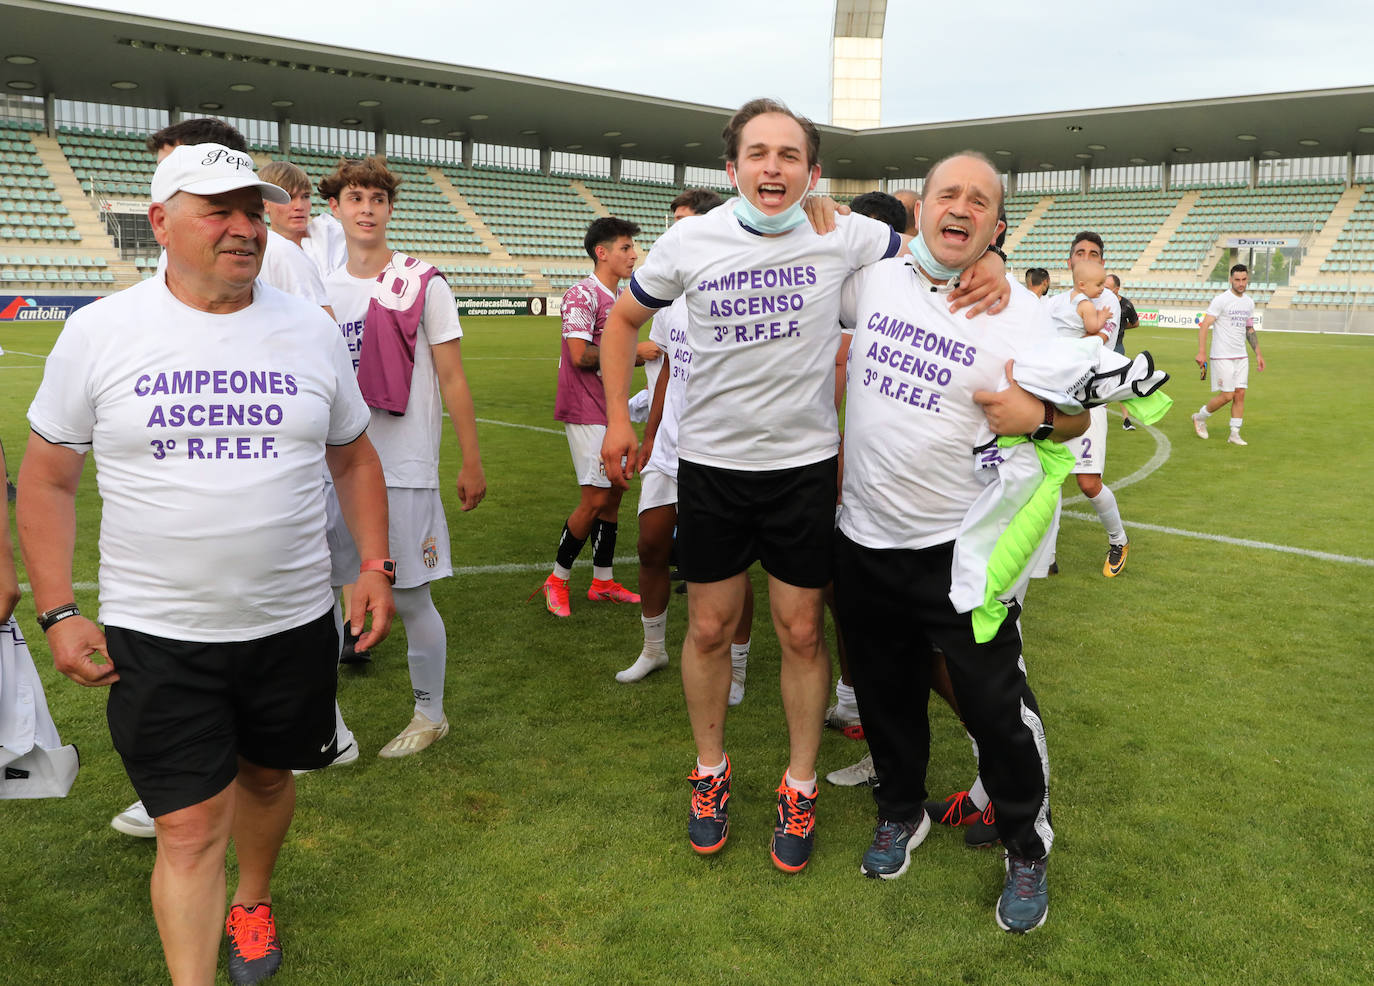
(1208, 719)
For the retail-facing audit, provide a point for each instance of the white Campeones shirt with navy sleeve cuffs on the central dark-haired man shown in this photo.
(763, 330)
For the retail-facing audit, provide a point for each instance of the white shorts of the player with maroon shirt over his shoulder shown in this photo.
(417, 536)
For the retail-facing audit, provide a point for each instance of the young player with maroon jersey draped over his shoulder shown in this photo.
(401, 323)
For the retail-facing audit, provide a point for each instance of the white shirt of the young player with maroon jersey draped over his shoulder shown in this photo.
(407, 444)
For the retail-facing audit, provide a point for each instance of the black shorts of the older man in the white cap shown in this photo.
(183, 712)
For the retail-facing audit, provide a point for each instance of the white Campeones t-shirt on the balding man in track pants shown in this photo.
(910, 422)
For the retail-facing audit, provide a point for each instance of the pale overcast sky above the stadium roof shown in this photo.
(990, 60)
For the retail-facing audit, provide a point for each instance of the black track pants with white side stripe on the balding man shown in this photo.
(894, 605)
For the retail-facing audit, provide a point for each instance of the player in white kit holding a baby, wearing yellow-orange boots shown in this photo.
(1090, 451)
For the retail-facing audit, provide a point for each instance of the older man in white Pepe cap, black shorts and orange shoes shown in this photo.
(212, 404)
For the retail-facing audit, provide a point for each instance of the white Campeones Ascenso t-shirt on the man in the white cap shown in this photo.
(210, 436)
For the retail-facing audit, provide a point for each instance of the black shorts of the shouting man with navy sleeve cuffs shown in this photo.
(728, 520)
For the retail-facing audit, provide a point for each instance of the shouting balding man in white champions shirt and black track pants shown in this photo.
(917, 380)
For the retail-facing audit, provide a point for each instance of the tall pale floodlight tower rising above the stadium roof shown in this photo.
(857, 73)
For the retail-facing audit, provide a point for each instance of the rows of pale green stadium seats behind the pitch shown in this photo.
(541, 220)
